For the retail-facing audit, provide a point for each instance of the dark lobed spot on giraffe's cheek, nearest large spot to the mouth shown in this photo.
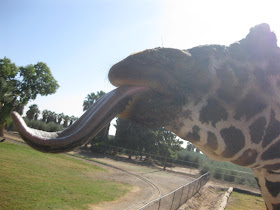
(213, 112)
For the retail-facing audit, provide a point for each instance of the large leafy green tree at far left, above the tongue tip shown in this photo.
(24, 83)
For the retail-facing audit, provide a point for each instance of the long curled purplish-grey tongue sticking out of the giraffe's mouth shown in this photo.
(84, 129)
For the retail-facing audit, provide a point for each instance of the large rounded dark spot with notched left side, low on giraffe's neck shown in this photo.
(234, 141)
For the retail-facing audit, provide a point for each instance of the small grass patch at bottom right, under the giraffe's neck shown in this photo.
(245, 202)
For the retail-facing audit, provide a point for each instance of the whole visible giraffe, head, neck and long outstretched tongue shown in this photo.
(223, 99)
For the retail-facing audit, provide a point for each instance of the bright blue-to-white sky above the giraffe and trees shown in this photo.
(80, 40)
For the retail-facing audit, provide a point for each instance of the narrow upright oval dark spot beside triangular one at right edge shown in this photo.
(257, 130)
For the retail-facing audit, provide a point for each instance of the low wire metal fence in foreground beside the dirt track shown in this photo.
(176, 198)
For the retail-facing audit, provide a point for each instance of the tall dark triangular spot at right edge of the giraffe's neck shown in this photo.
(272, 131)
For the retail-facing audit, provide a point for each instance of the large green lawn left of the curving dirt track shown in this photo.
(34, 180)
